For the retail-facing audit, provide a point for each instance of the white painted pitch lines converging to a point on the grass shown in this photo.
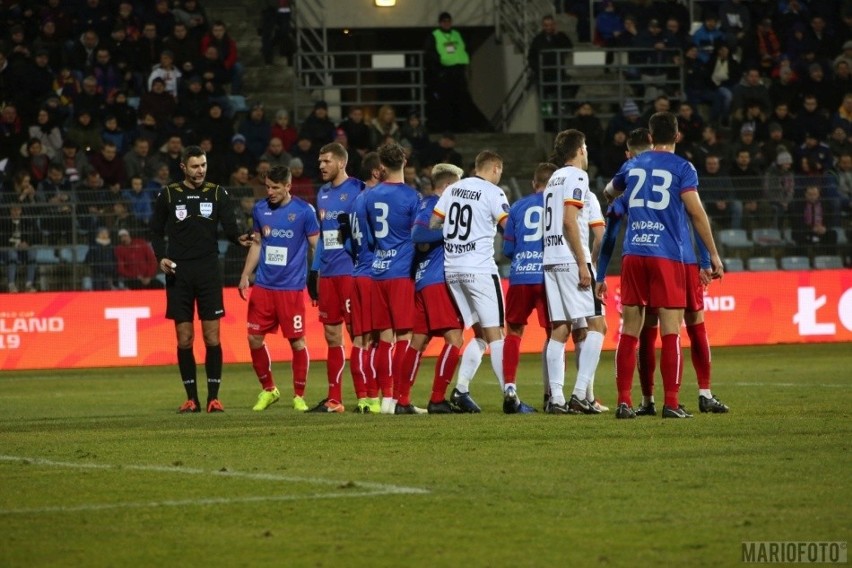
(372, 489)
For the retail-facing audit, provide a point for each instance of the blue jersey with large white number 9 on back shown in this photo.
(523, 229)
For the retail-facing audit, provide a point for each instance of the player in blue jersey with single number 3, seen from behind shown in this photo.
(391, 209)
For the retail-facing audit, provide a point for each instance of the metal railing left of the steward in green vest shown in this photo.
(373, 79)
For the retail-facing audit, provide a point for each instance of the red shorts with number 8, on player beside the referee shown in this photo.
(271, 309)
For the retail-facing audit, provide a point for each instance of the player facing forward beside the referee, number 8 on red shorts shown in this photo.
(284, 229)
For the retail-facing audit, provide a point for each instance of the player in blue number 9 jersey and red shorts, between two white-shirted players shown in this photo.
(522, 242)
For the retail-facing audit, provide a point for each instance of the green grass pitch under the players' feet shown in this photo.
(117, 478)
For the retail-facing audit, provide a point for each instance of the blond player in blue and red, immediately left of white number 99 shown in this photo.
(435, 312)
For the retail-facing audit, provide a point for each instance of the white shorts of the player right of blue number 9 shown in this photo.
(565, 300)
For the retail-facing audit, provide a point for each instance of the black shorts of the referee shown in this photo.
(197, 281)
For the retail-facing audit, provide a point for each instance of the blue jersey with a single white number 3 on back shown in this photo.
(391, 209)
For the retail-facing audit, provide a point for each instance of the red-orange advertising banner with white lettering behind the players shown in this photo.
(117, 329)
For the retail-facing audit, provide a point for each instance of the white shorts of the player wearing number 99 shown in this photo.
(479, 298)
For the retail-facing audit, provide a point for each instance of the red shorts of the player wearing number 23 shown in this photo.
(654, 282)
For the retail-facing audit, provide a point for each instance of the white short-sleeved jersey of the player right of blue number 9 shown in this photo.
(567, 186)
